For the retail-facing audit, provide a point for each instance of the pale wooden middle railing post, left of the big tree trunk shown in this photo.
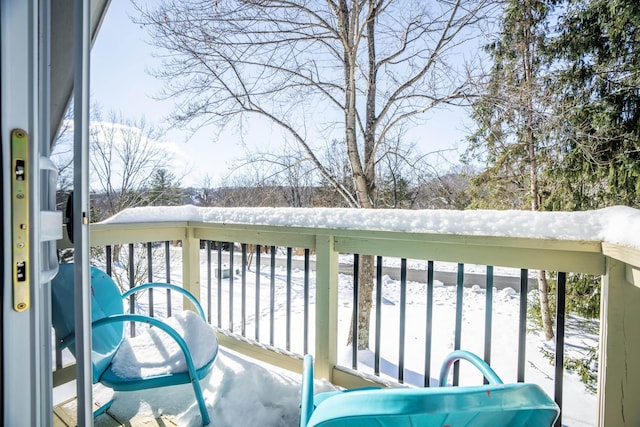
(326, 307)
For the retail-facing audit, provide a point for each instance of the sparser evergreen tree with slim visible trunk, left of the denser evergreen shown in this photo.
(513, 120)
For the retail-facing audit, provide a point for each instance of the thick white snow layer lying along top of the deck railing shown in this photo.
(618, 224)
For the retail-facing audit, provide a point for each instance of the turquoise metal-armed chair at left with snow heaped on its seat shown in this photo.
(108, 339)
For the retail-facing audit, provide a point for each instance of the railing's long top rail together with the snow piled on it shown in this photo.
(561, 241)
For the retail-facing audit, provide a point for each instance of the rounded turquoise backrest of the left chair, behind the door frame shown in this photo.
(106, 300)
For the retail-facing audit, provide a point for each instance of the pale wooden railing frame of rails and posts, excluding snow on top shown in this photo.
(619, 266)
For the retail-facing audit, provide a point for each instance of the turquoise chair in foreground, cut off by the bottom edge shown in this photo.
(495, 404)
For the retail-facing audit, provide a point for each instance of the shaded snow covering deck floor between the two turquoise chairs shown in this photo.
(238, 392)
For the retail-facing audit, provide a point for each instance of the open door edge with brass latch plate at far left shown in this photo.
(30, 224)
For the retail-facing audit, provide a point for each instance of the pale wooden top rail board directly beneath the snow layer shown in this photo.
(517, 252)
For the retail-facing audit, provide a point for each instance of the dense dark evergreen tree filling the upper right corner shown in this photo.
(597, 53)
